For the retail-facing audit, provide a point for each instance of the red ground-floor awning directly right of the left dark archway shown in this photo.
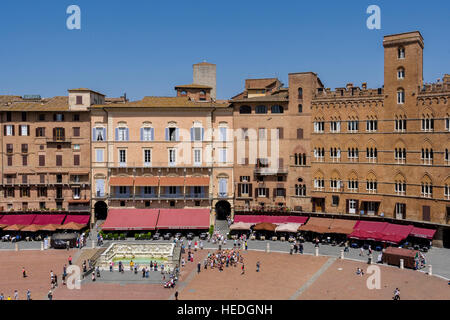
(131, 219)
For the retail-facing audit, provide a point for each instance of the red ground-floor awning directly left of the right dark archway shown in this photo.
(183, 219)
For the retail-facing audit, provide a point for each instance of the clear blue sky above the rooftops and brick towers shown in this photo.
(147, 47)
